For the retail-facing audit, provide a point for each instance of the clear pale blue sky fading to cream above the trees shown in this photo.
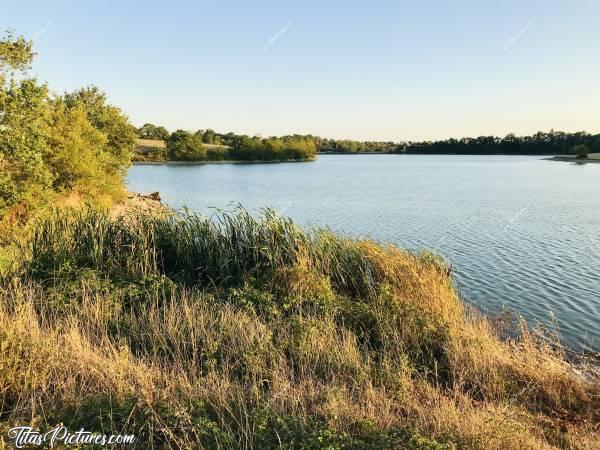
(380, 70)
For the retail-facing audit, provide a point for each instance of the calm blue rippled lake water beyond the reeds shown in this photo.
(523, 233)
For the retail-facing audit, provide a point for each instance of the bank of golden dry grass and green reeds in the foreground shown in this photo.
(238, 332)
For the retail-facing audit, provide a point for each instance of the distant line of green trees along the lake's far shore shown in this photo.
(541, 143)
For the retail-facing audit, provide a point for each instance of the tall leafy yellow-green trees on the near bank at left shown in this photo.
(49, 144)
